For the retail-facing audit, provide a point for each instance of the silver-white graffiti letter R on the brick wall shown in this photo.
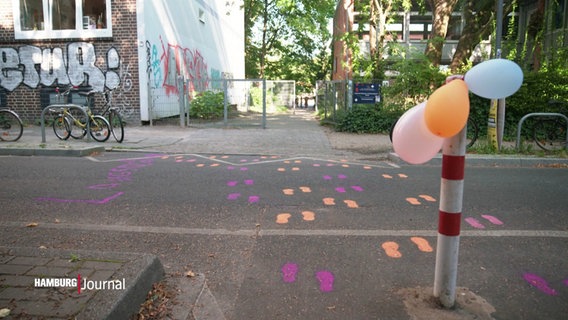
(82, 67)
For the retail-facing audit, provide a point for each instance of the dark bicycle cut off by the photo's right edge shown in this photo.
(549, 132)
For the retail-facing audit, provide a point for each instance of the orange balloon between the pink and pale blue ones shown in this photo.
(447, 109)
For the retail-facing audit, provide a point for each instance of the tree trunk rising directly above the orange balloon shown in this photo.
(441, 12)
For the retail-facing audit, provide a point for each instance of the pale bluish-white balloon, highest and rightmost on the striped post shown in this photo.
(494, 79)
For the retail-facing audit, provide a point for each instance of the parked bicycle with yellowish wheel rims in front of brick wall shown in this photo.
(66, 124)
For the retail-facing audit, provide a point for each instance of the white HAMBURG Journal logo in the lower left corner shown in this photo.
(82, 284)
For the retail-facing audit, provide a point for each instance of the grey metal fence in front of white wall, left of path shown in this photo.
(225, 102)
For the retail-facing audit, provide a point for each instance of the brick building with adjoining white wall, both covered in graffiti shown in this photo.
(137, 47)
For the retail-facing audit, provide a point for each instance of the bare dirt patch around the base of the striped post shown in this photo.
(421, 304)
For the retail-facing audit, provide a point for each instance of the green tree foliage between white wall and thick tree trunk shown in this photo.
(288, 39)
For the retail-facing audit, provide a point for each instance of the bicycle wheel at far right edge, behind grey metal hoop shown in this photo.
(550, 134)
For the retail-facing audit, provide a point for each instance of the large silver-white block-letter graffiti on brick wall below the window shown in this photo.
(31, 66)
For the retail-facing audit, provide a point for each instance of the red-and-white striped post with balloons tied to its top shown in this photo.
(451, 196)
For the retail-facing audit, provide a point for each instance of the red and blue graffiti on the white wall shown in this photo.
(170, 61)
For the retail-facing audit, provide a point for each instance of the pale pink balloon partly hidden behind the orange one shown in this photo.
(411, 138)
